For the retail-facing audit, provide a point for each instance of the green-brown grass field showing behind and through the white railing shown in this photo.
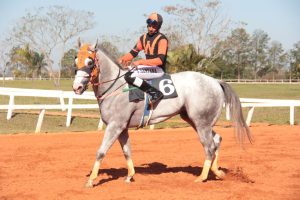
(22, 122)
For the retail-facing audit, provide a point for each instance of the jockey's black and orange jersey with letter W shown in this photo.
(154, 46)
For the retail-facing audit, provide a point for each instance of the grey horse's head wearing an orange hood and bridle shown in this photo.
(87, 67)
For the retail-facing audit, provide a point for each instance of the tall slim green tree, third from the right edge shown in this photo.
(258, 55)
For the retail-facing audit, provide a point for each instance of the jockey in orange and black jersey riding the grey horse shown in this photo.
(155, 46)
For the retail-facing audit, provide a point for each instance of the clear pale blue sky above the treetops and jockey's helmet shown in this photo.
(279, 18)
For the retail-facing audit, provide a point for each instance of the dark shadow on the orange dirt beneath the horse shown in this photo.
(151, 168)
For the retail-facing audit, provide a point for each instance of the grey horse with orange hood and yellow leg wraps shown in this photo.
(200, 101)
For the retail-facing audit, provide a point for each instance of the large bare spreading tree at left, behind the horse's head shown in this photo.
(48, 30)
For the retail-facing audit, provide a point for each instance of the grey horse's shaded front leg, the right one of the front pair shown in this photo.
(126, 147)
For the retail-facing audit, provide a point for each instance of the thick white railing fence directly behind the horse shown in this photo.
(61, 95)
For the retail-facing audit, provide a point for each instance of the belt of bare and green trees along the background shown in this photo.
(199, 40)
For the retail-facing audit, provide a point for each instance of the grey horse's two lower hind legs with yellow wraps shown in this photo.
(210, 142)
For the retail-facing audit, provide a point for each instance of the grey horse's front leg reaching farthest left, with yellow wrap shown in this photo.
(111, 134)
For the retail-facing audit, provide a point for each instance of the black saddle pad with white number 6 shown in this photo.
(164, 84)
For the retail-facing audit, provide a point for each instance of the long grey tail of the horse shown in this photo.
(233, 102)
